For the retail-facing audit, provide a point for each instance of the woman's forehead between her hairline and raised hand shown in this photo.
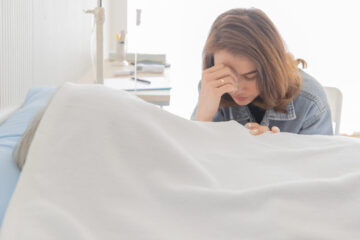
(239, 63)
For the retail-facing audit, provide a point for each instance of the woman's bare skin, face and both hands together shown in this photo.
(235, 75)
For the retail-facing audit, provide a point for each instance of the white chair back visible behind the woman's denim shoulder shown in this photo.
(334, 97)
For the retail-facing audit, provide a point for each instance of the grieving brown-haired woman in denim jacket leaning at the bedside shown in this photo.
(248, 76)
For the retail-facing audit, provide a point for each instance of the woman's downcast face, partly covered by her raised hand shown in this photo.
(246, 74)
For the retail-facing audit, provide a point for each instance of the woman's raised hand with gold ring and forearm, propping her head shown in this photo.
(215, 82)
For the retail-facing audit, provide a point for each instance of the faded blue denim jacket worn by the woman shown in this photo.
(308, 113)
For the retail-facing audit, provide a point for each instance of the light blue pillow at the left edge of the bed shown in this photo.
(11, 132)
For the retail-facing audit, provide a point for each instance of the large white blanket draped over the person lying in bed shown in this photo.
(106, 165)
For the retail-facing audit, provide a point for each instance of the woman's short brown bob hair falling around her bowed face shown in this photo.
(250, 33)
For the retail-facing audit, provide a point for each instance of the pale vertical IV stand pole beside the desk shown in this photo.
(99, 15)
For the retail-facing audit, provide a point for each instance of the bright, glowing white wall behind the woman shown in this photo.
(324, 33)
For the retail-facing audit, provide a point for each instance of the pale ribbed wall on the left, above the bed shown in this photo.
(42, 42)
